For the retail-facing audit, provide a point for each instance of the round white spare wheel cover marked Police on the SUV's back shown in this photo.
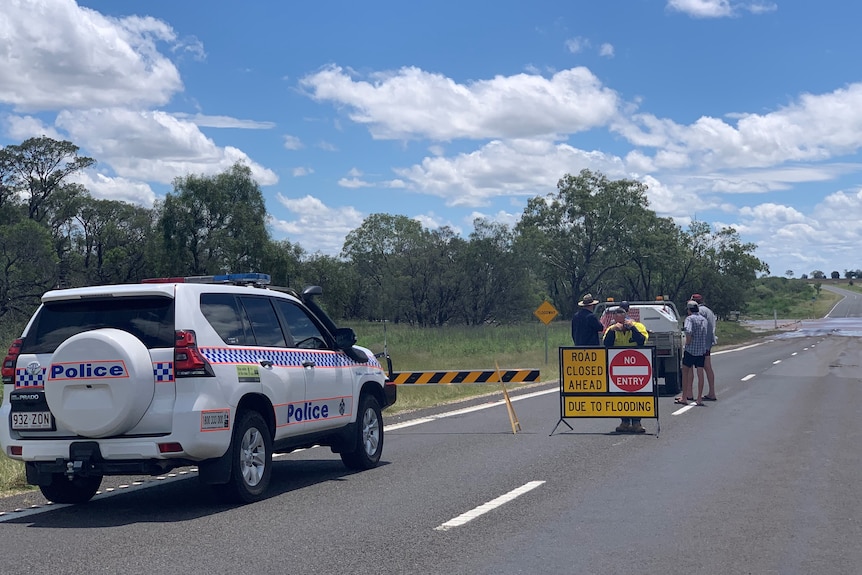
(100, 382)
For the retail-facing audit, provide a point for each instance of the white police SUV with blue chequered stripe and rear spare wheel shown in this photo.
(214, 371)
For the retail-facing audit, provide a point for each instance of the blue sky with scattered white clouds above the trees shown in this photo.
(744, 114)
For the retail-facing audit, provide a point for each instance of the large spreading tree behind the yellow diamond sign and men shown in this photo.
(580, 235)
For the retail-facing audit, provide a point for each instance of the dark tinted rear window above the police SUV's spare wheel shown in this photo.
(150, 319)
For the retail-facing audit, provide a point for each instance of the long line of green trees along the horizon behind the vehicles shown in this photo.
(591, 235)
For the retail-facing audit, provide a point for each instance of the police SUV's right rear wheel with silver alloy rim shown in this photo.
(251, 460)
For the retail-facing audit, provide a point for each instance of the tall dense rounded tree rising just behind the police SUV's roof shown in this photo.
(214, 224)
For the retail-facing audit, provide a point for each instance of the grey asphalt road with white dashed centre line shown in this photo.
(765, 480)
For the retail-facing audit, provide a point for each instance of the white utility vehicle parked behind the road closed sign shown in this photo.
(663, 323)
